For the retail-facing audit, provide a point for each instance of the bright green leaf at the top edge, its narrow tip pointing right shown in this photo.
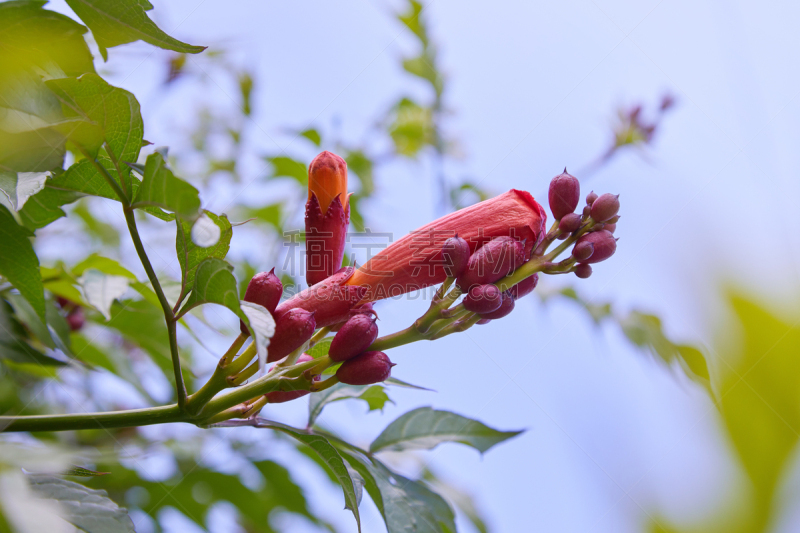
(115, 22)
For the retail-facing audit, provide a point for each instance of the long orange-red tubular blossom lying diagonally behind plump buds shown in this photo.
(416, 260)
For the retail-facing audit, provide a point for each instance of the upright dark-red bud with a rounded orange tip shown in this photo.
(327, 216)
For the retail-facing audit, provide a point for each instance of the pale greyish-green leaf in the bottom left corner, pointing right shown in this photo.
(87, 509)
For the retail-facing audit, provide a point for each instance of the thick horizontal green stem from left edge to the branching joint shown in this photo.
(108, 420)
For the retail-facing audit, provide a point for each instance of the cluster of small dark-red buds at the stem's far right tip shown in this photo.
(596, 225)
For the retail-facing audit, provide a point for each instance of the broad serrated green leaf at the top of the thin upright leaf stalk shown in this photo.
(113, 114)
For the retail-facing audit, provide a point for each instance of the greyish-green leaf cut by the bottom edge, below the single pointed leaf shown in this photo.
(407, 506)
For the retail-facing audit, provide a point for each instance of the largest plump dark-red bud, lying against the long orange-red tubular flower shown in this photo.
(492, 261)
